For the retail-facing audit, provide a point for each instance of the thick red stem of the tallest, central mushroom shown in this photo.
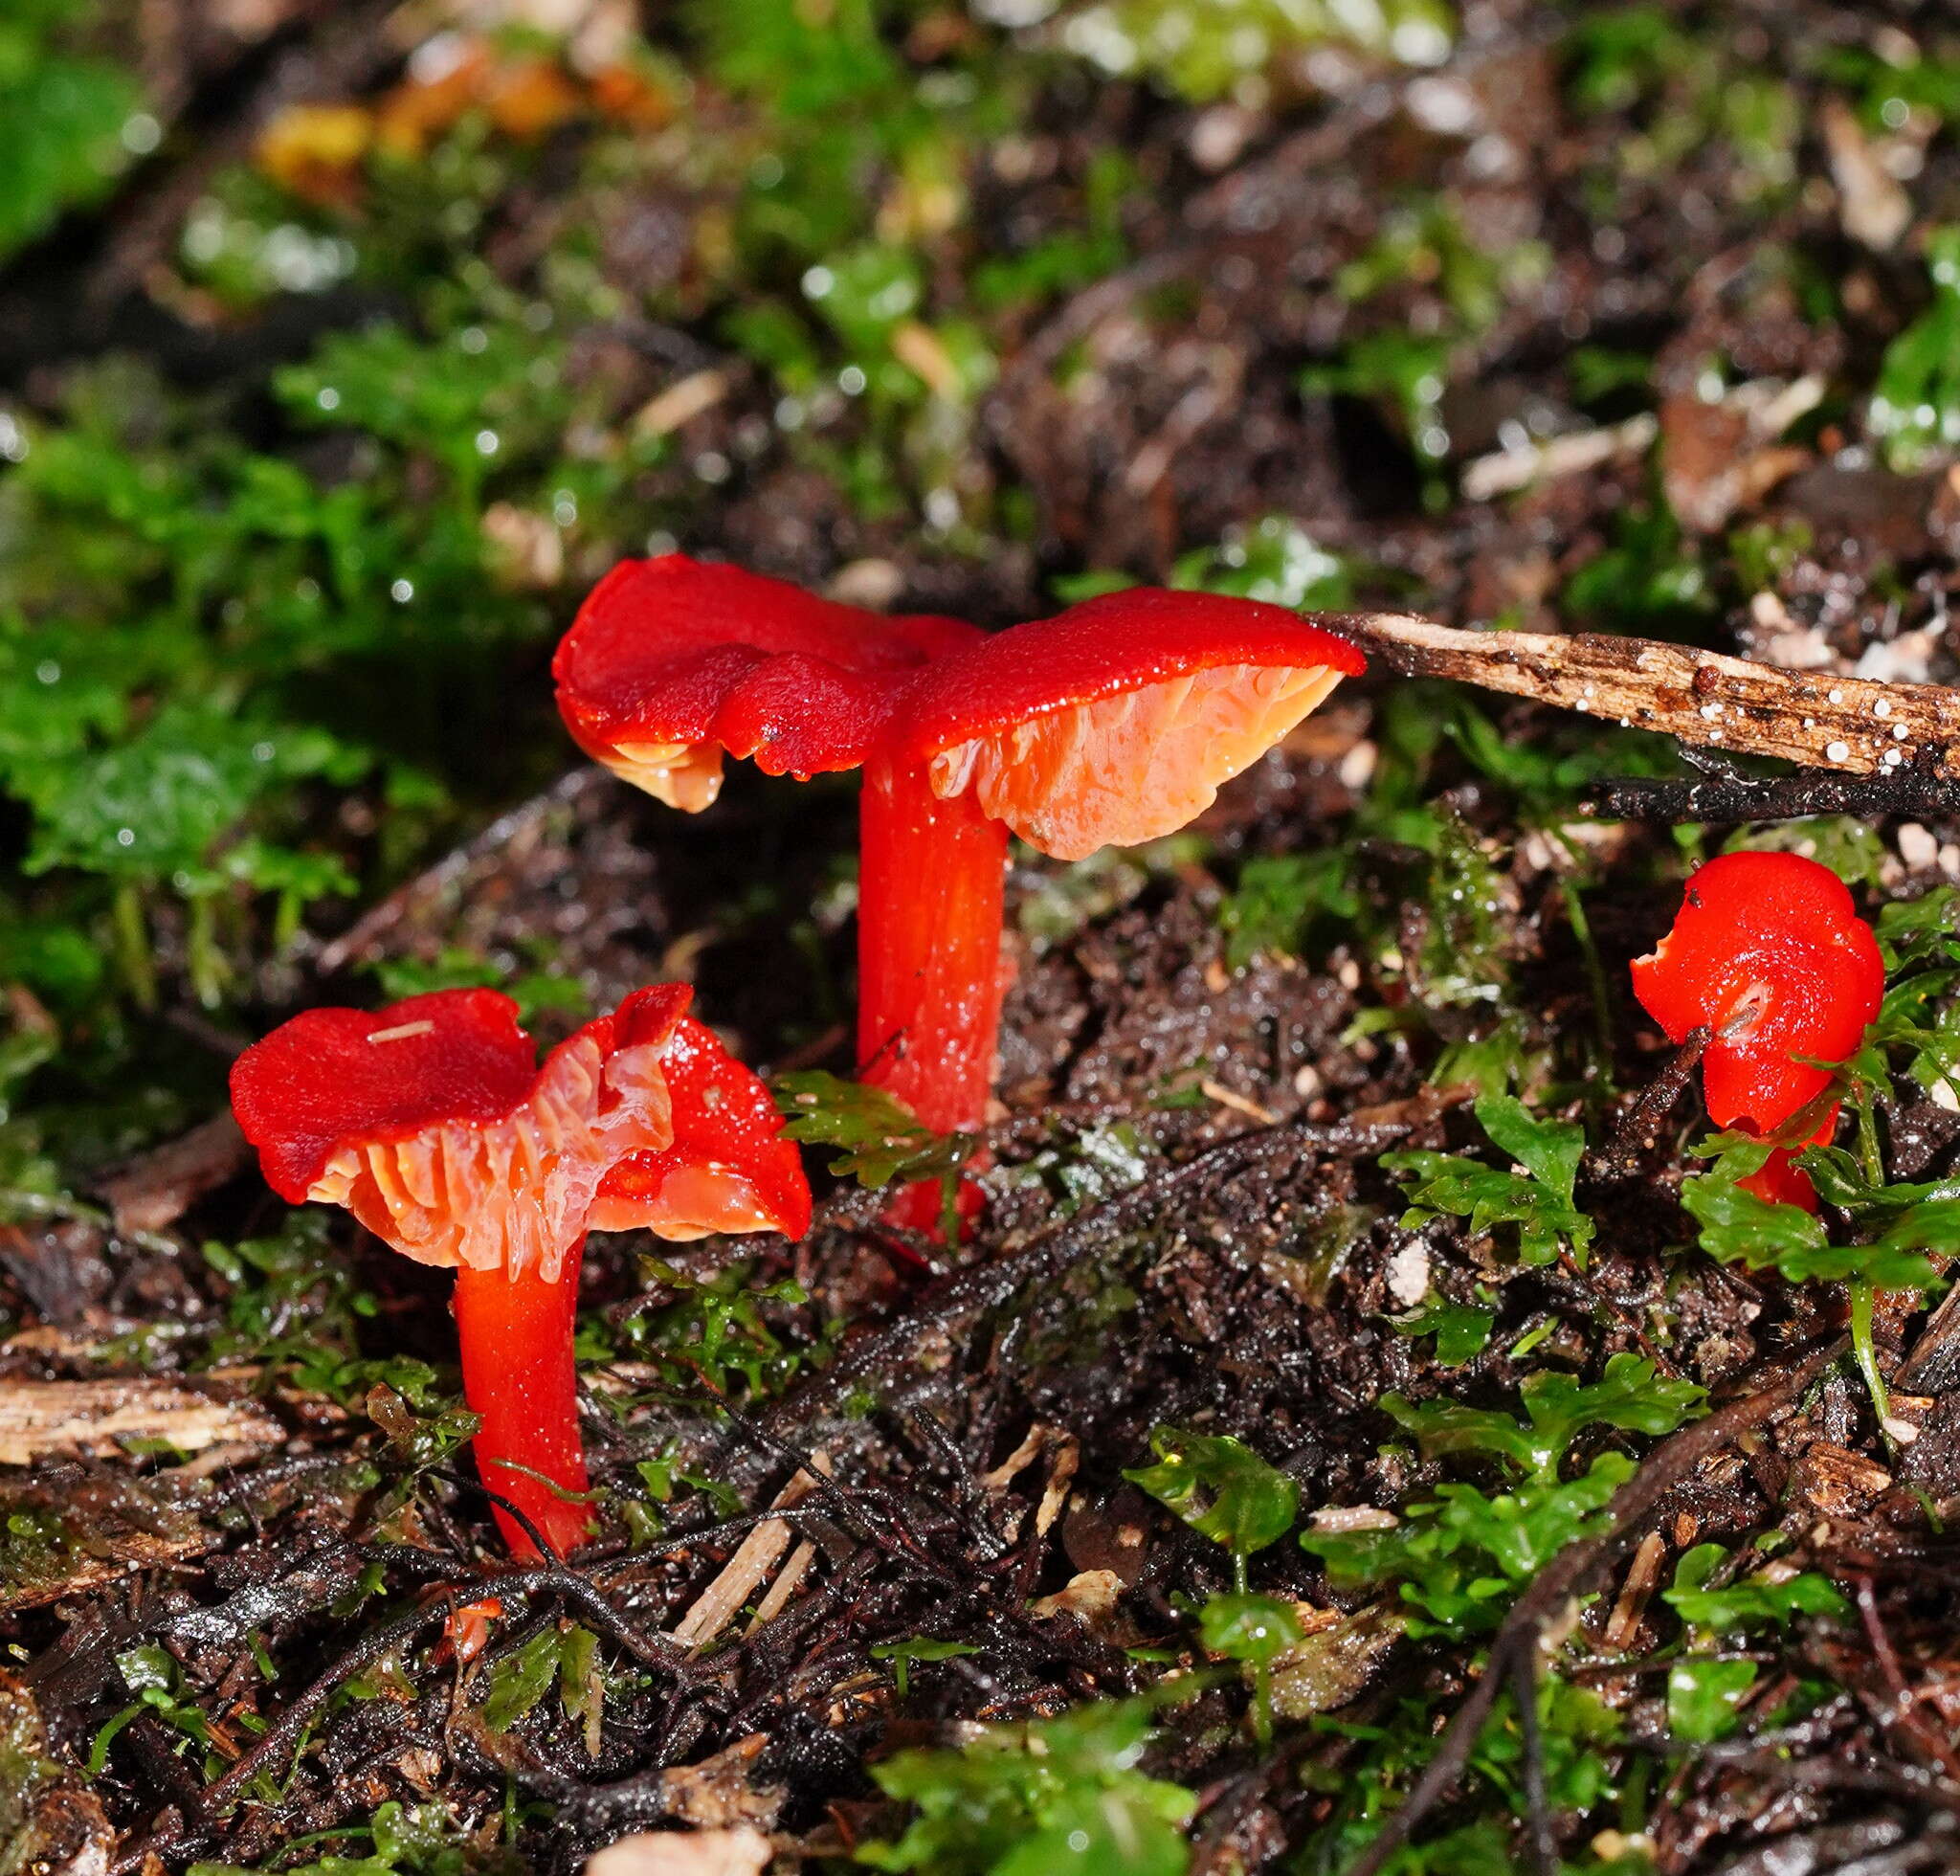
(932, 879)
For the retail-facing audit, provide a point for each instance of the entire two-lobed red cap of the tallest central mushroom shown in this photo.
(1112, 722)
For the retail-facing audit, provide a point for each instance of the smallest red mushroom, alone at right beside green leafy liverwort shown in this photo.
(1771, 958)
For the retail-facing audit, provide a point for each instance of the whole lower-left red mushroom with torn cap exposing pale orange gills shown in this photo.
(436, 1126)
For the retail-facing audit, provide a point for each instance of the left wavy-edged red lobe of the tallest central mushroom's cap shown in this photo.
(675, 662)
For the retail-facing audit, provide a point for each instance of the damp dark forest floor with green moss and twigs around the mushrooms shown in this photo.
(1357, 1334)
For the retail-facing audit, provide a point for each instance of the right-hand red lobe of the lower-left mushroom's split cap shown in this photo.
(730, 1167)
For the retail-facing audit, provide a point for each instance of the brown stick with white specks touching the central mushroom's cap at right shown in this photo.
(1849, 726)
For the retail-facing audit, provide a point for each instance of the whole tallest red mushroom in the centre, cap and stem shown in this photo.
(1114, 722)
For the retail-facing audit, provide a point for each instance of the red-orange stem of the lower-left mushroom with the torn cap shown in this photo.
(518, 1377)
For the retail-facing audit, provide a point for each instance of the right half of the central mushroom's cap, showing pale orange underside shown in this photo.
(1116, 720)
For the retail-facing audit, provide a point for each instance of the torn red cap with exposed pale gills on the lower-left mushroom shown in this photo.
(438, 1128)
